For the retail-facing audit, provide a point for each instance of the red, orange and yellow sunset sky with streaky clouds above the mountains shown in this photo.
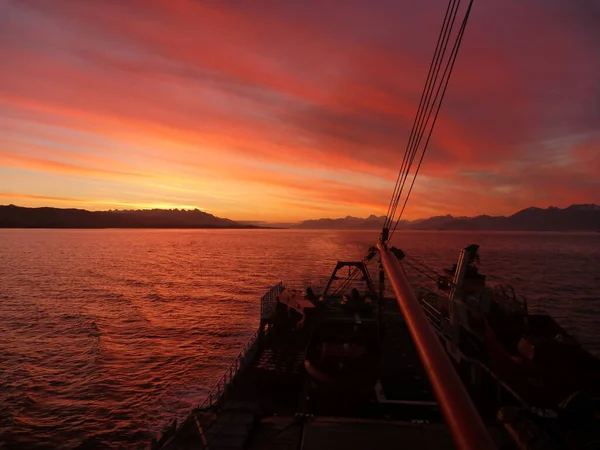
(294, 109)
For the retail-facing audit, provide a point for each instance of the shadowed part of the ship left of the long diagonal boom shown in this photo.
(321, 371)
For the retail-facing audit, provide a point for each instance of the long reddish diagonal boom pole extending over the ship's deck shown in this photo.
(465, 424)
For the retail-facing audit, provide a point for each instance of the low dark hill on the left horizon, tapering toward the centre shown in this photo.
(18, 217)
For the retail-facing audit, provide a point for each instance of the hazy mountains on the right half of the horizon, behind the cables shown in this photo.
(584, 217)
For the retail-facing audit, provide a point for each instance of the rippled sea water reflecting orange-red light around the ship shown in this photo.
(105, 335)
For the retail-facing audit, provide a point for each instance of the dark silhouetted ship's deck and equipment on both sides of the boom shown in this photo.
(339, 368)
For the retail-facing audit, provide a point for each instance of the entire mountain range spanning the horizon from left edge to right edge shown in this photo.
(585, 217)
